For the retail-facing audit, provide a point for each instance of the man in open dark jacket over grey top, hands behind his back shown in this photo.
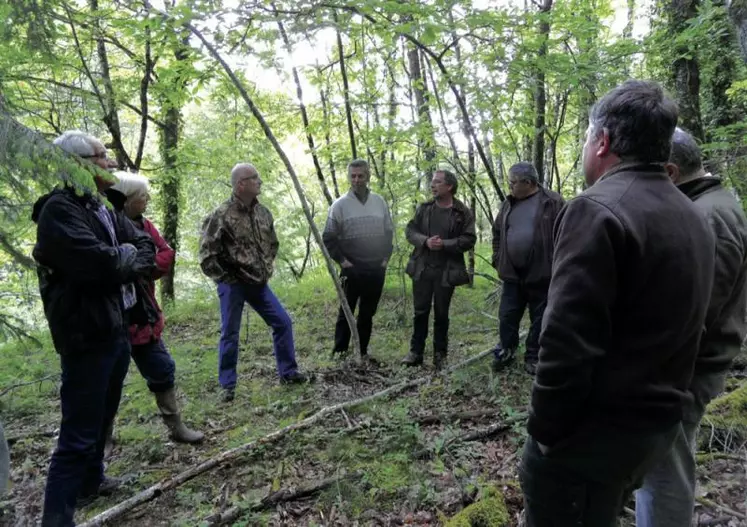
(522, 254)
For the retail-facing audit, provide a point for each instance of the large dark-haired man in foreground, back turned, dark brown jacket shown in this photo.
(632, 274)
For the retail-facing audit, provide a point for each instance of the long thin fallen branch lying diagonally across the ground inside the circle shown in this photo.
(159, 488)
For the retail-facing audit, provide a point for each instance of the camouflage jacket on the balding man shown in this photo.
(238, 243)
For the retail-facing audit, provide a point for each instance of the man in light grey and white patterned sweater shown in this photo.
(358, 235)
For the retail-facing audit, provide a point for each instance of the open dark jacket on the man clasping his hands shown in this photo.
(460, 240)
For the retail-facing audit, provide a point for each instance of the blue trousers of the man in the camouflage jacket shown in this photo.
(267, 306)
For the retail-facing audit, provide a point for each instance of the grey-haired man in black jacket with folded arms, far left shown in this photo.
(89, 259)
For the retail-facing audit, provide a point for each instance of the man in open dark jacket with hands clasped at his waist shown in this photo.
(442, 230)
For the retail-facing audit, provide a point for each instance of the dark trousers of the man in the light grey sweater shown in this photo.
(366, 287)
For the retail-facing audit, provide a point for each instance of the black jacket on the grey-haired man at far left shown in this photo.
(80, 271)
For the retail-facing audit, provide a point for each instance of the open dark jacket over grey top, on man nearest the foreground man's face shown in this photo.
(540, 258)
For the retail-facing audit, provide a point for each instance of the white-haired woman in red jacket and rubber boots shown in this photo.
(131, 195)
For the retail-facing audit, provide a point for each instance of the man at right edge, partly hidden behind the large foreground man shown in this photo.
(667, 497)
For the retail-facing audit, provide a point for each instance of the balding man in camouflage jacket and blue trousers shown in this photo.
(238, 247)
